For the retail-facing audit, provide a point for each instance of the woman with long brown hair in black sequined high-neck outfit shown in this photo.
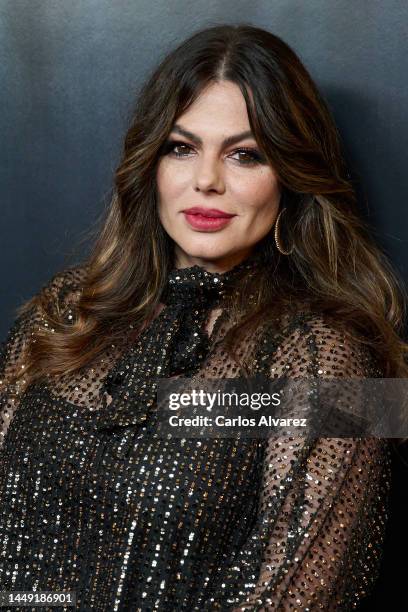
(282, 280)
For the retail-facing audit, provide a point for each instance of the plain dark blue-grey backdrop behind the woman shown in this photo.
(69, 70)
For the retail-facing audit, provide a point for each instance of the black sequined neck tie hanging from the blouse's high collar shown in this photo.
(175, 343)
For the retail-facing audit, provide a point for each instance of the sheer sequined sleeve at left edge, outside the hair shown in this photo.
(13, 349)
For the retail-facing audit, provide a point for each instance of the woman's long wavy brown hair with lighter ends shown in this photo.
(335, 265)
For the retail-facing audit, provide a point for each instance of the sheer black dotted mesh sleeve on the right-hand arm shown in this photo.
(317, 542)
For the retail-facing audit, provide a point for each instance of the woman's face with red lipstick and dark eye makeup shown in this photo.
(199, 169)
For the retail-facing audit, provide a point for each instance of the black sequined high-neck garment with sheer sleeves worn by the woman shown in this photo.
(93, 501)
